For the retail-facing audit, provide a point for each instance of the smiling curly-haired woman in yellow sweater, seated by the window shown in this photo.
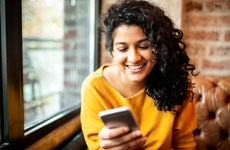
(150, 76)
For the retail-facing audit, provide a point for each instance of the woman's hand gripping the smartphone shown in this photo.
(120, 139)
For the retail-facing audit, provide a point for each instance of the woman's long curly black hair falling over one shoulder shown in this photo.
(168, 83)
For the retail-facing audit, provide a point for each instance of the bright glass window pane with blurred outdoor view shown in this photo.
(56, 56)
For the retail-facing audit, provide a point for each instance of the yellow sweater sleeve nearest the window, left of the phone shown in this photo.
(91, 123)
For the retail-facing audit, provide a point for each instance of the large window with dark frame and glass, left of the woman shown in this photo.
(47, 50)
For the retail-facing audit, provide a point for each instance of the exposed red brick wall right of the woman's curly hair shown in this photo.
(206, 25)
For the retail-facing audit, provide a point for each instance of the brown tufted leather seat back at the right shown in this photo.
(212, 95)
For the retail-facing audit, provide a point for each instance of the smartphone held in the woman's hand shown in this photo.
(117, 117)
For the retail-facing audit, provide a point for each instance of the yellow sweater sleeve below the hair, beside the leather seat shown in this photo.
(185, 124)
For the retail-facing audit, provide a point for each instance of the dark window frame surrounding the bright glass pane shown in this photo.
(12, 116)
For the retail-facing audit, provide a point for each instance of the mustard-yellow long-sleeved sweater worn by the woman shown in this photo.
(162, 129)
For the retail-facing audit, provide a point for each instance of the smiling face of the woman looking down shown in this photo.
(132, 52)
